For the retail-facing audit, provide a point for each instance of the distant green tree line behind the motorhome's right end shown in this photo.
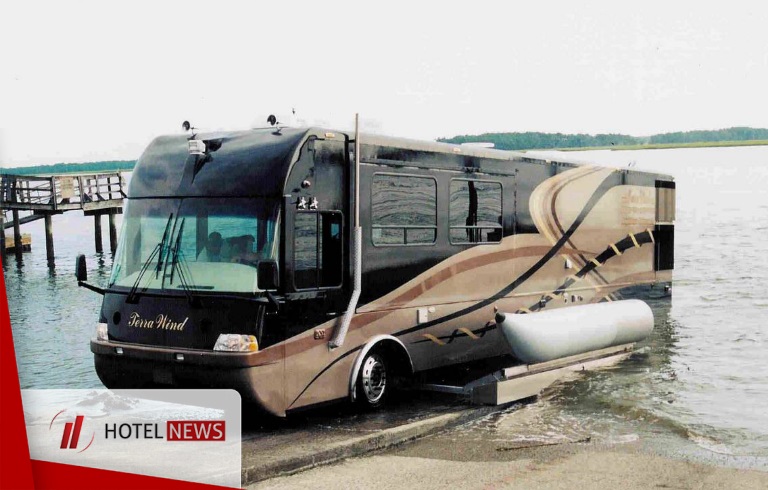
(534, 140)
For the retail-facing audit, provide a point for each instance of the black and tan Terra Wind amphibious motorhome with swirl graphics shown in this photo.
(300, 266)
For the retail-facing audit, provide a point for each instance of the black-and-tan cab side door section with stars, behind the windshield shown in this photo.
(316, 256)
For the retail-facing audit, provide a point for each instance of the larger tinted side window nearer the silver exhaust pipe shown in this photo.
(404, 210)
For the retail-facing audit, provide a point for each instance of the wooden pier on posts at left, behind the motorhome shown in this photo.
(94, 194)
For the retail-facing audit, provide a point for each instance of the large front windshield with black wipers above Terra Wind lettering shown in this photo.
(198, 244)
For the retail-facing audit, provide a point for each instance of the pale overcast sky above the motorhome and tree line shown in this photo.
(97, 81)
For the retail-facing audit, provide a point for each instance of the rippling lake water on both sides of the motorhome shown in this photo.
(700, 388)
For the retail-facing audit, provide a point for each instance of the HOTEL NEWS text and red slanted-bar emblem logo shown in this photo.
(175, 430)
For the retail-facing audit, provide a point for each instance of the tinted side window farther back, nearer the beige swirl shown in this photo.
(475, 211)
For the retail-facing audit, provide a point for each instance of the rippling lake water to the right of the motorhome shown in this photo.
(702, 387)
